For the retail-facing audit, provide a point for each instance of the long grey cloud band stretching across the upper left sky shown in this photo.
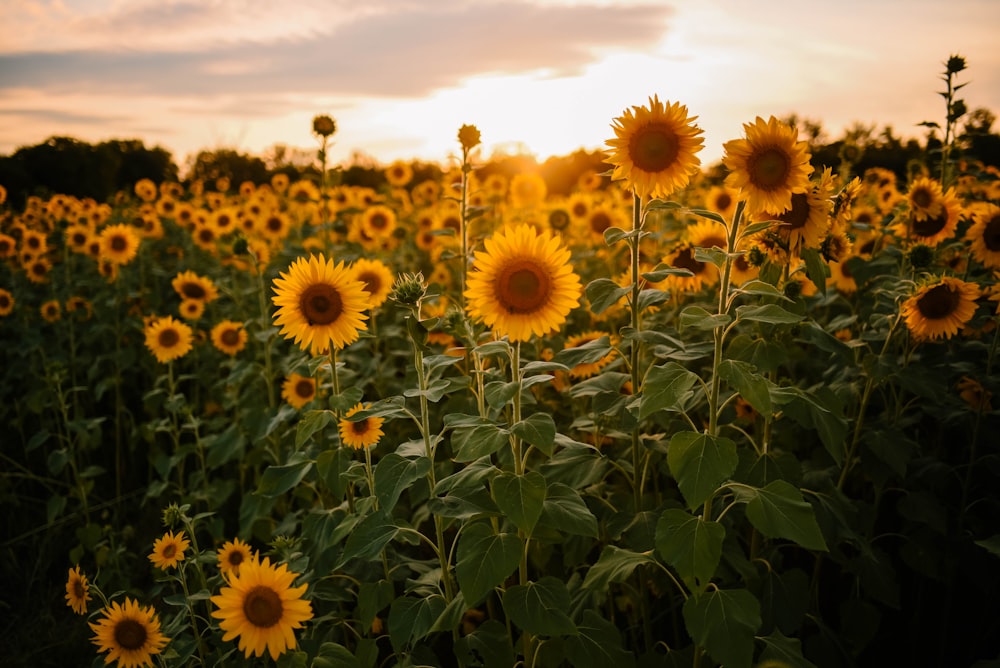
(408, 52)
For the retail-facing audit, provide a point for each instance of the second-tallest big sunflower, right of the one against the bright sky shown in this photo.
(768, 166)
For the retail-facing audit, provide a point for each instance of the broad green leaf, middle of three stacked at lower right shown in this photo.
(691, 545)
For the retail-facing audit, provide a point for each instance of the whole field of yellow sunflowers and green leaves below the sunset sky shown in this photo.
(680, 416)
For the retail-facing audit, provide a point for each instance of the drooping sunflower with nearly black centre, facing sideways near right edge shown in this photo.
(938, 309)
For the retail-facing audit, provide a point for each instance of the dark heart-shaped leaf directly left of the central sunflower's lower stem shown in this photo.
(485, 559)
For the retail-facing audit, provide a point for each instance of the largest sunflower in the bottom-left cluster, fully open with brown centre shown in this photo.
(261, 608)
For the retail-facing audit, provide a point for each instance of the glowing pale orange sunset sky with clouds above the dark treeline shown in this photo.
(546, 77)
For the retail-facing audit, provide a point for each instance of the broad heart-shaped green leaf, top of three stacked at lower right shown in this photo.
(700, 463)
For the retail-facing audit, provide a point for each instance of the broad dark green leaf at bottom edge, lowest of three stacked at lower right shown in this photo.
(724, 622)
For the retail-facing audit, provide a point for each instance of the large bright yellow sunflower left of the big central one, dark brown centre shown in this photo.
(320, 304)
